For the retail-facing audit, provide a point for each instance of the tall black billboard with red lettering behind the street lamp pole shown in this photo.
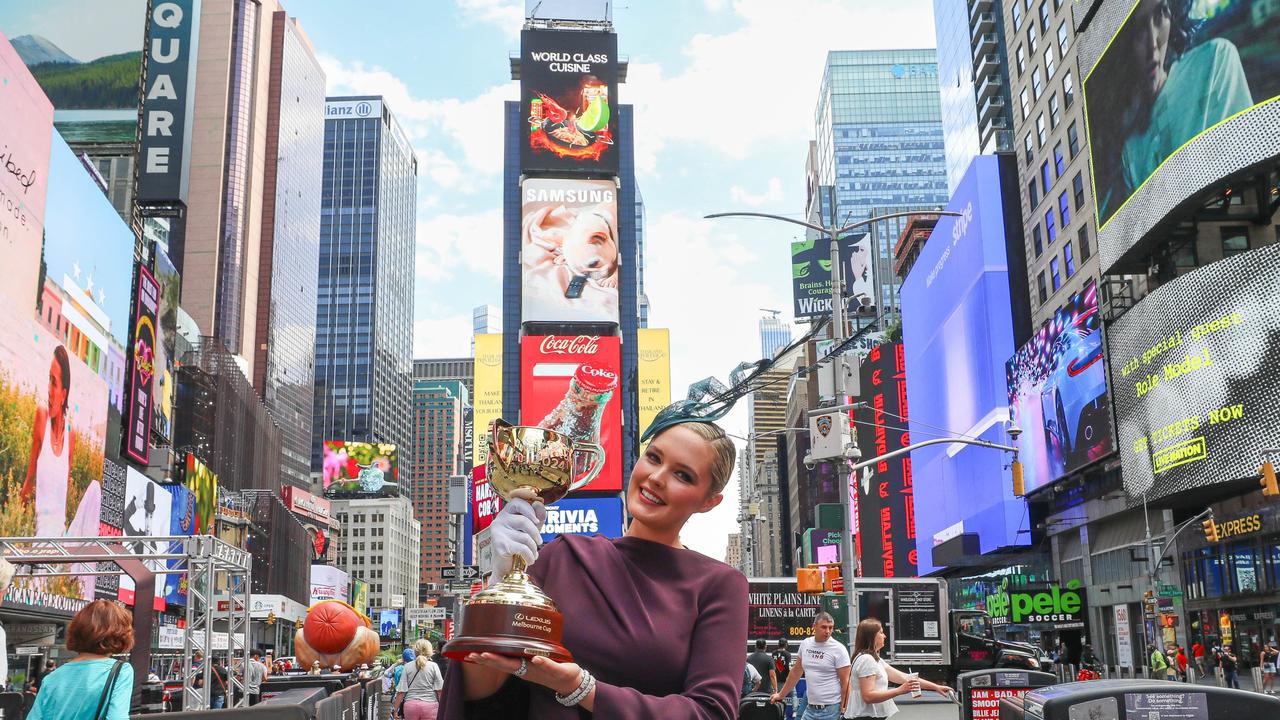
(886, 499)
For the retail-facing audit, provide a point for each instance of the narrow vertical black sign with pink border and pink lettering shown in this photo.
(140, 403)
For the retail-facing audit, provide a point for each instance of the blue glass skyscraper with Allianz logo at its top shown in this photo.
(365, 289)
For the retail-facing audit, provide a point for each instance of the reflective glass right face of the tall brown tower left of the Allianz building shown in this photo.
(285, 343)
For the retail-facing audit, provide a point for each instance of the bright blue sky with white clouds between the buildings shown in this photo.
(724, 94)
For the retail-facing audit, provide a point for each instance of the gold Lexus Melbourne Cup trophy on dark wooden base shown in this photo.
(514, 617)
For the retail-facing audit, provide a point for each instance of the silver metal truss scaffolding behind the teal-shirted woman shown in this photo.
(205, 558)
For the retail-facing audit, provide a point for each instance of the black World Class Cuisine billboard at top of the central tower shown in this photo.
(569, 94)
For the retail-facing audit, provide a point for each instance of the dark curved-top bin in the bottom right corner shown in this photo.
(1108, 700)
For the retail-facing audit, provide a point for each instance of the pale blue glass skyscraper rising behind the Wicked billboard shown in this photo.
(879, 151)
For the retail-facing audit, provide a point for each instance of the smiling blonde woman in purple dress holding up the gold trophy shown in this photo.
(656, 630)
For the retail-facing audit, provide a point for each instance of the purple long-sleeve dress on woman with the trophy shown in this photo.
(662, 631)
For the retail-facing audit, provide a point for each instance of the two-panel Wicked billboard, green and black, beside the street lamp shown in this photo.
(811, 274)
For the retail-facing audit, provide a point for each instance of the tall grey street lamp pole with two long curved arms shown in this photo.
(848, 563)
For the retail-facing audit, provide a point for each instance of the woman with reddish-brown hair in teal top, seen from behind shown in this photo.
(93, 685)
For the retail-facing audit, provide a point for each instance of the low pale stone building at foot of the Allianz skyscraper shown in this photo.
(380, 543)
